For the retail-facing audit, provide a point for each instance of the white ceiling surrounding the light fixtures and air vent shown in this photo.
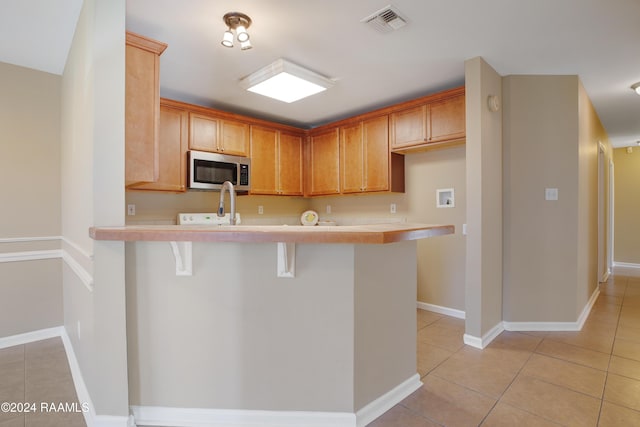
(595, 39)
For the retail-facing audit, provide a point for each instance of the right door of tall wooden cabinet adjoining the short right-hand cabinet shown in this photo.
(375, 136)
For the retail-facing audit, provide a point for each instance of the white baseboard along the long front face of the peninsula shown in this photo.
(198, 417)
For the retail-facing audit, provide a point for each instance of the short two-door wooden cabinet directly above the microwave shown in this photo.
(219, 135)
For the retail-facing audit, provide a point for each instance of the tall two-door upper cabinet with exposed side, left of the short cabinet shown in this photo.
(365, 161)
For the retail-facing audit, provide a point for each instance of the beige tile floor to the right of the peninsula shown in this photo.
(586, 378)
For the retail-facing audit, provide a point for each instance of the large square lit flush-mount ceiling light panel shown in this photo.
(285, 81)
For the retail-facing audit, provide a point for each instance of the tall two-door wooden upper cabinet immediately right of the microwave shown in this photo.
(276, 161)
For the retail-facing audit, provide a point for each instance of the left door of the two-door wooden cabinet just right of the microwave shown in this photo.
(264, 160)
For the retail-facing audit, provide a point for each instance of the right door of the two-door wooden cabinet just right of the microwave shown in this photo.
(290, 164)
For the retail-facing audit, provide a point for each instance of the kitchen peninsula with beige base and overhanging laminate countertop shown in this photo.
(333, 345)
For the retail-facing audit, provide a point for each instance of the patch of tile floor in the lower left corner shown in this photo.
(38, 373)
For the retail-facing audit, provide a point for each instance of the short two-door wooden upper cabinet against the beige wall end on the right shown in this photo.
(429, 122)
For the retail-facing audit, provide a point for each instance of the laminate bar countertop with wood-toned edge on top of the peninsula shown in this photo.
(354, 234)
